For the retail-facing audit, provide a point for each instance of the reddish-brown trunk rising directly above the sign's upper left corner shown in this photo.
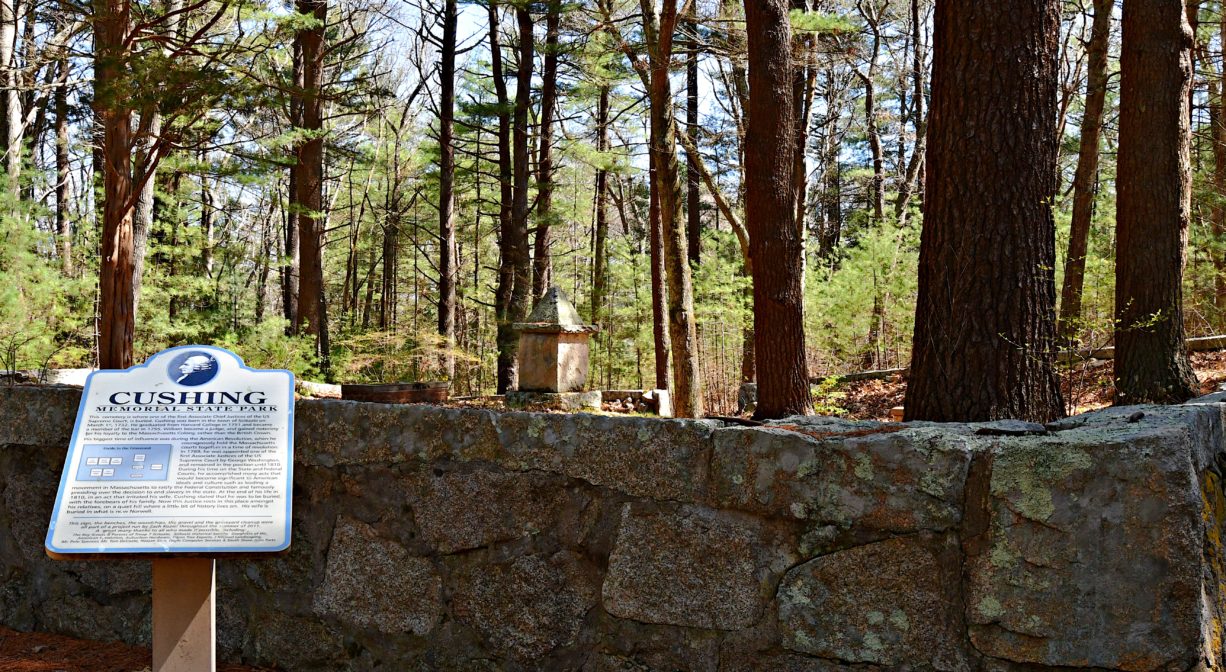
(117, 299)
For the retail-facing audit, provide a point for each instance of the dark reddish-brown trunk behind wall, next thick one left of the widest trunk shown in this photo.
(775, 245)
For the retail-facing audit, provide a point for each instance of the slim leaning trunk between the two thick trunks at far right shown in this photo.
(1086, 181)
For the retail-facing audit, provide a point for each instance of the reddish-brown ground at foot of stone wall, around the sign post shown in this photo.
(45, 653)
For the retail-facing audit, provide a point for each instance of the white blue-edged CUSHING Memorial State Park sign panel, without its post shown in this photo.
(189, 453)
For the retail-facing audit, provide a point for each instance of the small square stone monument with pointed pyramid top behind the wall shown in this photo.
(555, 357)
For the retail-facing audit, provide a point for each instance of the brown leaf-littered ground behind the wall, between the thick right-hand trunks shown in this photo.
(1087, 387)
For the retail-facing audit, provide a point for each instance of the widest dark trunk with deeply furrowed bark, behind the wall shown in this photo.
(985, 317)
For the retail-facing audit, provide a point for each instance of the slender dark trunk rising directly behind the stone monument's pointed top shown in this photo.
(543, 262)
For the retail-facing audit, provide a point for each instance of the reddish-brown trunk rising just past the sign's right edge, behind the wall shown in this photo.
(310, 194)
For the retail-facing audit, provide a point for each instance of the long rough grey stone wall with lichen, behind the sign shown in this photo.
(432, 539)
